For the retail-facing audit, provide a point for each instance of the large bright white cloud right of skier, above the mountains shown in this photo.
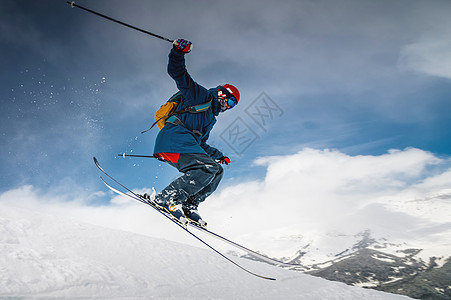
(314, 192)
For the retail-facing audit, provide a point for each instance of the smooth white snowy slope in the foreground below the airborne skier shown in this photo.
(43, 255)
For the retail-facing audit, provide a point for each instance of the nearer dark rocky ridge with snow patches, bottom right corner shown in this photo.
(395, 274)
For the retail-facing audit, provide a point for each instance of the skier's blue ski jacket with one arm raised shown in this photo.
(181, 138)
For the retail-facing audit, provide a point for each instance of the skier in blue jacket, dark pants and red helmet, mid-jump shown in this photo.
(182, 142)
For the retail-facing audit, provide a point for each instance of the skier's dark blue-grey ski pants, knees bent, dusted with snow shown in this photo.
(201, 177)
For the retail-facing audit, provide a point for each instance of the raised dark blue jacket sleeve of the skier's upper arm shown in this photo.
(192, 92)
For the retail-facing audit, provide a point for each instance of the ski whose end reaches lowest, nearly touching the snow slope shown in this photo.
(137, 197)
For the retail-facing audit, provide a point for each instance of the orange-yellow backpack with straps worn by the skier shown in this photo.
(169, 109)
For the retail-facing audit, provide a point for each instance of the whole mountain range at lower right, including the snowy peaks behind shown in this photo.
(380, 265)
